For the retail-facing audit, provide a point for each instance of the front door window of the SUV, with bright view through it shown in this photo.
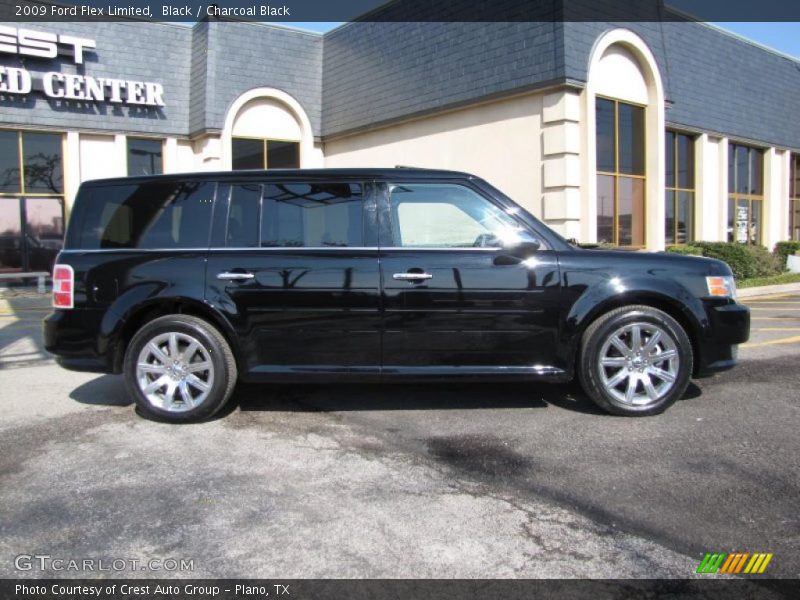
(446, 216)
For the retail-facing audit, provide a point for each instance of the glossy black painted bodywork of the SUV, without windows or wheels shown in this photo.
(340, 313)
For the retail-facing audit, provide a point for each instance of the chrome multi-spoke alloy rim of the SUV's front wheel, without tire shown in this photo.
(638, 364)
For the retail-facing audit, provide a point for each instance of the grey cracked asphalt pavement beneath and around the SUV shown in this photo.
(478, 480)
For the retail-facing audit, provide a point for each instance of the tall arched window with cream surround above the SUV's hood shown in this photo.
(625, 141)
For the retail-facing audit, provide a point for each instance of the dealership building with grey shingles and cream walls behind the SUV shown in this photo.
(638, 134)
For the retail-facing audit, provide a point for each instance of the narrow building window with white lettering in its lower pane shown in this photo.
(746, 195)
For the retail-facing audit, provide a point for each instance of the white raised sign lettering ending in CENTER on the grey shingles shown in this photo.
(66, 86)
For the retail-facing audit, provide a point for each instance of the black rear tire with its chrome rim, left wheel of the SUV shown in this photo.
(212, 349)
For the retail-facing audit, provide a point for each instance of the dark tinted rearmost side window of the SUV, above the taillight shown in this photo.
(150, 215)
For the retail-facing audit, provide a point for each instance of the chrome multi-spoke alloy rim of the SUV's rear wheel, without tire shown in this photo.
(174, 372)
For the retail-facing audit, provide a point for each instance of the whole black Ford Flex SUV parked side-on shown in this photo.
(188, 283)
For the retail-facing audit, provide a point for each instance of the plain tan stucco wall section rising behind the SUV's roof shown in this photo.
(498, 141)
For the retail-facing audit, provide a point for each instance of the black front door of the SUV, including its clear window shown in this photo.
(460, 297)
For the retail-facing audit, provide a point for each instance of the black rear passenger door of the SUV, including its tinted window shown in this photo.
(294, 266)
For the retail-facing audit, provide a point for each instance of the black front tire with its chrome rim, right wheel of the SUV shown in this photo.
(621, 324)
